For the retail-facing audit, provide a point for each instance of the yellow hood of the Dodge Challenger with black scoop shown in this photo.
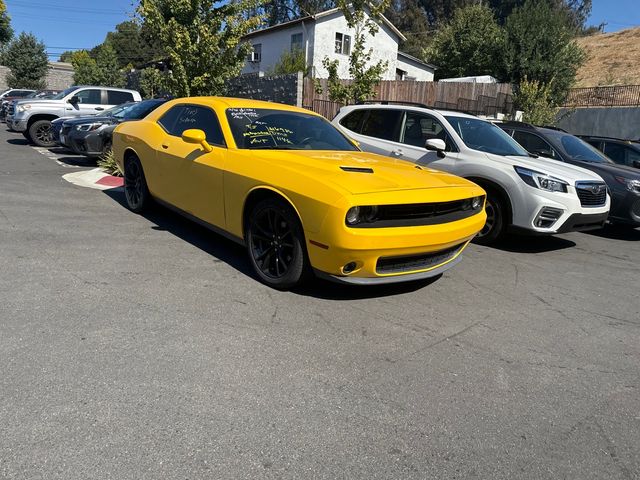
(360, 172)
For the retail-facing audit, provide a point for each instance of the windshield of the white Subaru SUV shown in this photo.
(485, 136)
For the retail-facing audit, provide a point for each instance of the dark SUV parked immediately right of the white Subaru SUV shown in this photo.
(623, 182)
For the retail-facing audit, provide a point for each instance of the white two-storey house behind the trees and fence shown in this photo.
(326, 34)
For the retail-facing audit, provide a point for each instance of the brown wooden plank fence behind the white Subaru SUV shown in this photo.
(477, 98)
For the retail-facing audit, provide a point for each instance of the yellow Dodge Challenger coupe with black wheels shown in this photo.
(296, 192)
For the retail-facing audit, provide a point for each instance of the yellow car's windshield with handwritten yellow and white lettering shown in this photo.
(272, 129)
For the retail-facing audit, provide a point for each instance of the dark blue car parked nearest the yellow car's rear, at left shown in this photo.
(92, 136)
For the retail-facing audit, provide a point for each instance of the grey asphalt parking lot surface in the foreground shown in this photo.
(141, 347)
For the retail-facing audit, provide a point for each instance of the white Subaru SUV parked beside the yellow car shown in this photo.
(524, 193)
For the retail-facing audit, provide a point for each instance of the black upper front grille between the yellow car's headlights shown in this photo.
(416, 214)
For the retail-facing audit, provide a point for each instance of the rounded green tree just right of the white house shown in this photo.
(471, 44)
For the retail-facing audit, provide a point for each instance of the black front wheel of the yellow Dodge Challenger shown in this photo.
(276, 245)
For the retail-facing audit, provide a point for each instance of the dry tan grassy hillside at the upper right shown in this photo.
(613, 59)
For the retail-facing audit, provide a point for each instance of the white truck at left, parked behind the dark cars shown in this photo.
(33, 117)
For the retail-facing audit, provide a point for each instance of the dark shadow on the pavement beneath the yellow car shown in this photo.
(235, 256)
